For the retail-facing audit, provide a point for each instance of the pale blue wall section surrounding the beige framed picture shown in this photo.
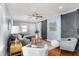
(54, 35)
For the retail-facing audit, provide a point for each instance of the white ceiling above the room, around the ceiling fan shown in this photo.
(20, 11)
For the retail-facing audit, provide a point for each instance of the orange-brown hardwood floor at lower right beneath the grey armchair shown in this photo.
(58, 52)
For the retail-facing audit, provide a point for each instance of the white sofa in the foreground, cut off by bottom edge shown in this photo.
(29, 51)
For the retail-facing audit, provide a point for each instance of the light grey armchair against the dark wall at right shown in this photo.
(68, 44)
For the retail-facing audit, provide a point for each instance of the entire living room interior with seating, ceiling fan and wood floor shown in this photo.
(39, 29)
